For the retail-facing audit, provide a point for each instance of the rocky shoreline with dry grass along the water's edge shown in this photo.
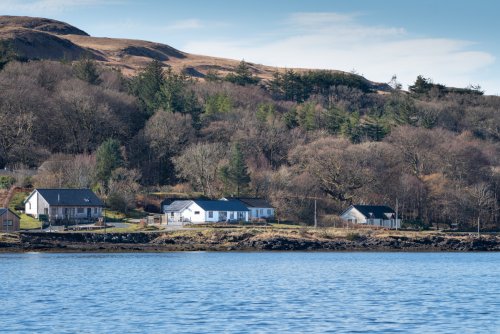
(244, 240)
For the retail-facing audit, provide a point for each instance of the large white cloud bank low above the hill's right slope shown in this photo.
(341, 41)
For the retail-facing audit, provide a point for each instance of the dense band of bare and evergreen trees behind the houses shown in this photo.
(300, 135)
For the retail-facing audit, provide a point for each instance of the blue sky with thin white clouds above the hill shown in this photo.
(455, 43)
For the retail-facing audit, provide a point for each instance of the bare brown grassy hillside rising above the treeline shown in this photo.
(40, 38)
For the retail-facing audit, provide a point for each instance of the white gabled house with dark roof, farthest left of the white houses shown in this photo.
(63, 204)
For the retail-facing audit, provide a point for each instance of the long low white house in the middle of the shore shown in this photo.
(199, 211)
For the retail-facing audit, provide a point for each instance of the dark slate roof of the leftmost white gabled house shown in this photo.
(70, 197)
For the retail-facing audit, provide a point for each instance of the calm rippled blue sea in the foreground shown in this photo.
(250, 293)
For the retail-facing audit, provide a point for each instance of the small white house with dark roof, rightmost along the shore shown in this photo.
(377, 215)
